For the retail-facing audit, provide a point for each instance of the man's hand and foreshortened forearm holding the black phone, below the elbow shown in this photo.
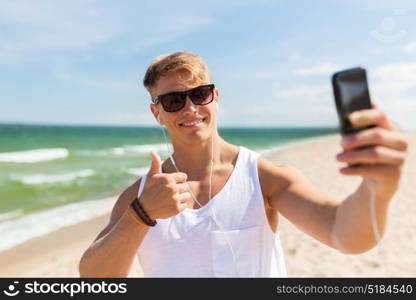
(381, 152)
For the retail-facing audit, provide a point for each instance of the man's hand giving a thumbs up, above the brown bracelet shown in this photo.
(164, 195)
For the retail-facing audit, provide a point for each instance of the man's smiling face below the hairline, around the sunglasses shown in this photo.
(193, 121)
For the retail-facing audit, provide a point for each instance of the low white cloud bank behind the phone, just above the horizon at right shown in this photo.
(392, 86)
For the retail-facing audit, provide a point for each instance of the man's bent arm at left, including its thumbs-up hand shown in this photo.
(113, 251)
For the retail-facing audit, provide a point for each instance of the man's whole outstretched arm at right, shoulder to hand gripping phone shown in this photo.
(346, 224)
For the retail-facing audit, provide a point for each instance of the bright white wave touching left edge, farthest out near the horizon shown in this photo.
(34, 156)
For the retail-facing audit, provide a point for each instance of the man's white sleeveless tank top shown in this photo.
(190, 244)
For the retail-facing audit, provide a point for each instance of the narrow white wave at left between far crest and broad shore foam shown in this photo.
(50, 178)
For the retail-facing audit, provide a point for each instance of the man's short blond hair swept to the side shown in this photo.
(191, 68)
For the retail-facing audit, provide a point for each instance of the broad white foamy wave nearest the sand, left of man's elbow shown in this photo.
(17, 231)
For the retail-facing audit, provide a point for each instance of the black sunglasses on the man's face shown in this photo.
(175, 101)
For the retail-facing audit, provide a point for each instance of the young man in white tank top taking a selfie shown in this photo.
(217, 205)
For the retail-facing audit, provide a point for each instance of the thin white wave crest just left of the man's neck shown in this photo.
(127, 150)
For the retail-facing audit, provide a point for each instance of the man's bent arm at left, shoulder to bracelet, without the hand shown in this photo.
(113, 251)
